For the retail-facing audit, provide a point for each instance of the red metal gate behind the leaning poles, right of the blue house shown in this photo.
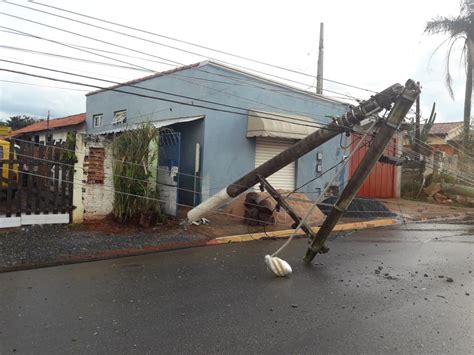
(381, 180)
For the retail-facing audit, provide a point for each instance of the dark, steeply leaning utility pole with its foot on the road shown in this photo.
(385, 133)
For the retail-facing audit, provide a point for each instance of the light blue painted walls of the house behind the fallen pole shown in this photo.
(226, 151)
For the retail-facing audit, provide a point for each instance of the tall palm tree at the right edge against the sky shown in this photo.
(459, 28)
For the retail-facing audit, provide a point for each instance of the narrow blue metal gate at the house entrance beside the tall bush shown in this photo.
(168, 171)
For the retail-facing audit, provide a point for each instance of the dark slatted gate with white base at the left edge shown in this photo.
(36, 184)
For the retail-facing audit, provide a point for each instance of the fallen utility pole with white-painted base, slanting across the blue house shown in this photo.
(354, 116)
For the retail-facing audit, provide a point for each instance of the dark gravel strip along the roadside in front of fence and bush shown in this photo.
(52, 243)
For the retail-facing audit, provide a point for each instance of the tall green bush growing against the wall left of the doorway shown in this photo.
(134, 153)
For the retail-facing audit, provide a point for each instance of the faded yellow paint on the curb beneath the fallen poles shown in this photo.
(286, 233)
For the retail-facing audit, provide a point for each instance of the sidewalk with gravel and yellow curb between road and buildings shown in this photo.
(42, 246)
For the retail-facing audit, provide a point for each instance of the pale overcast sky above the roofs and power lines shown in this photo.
(368, 43)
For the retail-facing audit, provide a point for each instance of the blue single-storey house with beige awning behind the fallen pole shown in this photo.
(226, 122)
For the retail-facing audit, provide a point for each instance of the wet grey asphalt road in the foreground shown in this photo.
(377, 291)
